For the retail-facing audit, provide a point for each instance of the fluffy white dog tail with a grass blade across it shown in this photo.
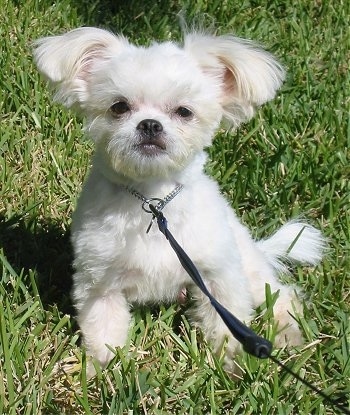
(293, 242)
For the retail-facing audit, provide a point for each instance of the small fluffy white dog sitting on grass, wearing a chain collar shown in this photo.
(151, 112)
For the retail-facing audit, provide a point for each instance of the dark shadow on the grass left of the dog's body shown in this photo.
(44, 248)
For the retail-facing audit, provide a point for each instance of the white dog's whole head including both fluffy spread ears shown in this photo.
(151, 110)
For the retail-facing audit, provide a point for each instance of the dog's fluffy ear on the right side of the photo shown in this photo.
(247, 75)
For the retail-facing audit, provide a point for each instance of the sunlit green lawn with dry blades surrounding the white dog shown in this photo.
(291, 160)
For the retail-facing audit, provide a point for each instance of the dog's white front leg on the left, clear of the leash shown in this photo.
(104, 320)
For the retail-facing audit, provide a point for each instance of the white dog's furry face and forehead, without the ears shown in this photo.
(150, 110)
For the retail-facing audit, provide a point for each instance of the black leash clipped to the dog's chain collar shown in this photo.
(251, 342)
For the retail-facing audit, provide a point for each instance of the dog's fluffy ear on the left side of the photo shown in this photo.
(67, 60)
